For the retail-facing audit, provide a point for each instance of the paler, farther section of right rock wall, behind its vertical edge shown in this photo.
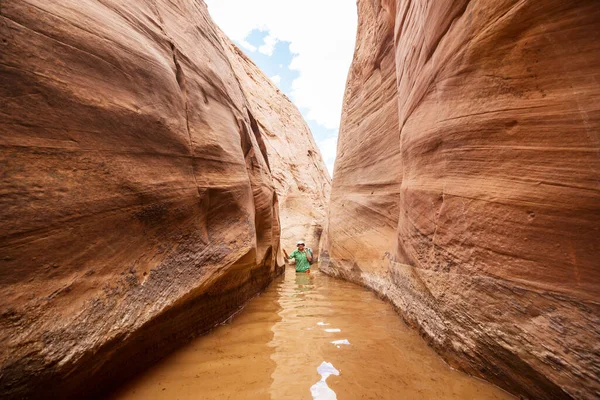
(363, 210)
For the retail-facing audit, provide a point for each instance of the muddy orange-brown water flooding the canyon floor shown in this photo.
(308, 337)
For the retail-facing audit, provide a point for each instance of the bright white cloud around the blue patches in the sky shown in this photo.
(321, 35)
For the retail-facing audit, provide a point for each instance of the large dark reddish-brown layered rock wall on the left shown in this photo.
(138, 205)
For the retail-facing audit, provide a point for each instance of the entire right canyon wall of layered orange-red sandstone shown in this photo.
(466, 185)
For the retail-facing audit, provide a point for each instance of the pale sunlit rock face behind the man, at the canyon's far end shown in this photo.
(300, 177)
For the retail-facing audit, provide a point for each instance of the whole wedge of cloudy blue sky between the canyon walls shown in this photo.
(305, 47)
